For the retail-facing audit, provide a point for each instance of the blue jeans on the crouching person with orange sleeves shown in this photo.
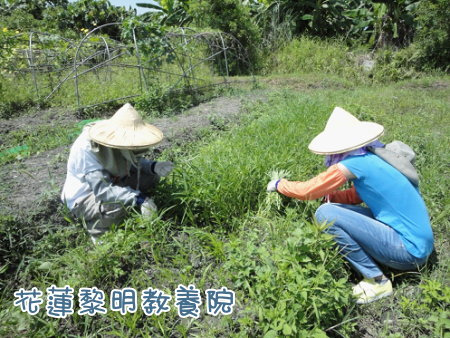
(364, 241)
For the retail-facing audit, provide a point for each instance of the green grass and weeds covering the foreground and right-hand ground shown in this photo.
(287, 277)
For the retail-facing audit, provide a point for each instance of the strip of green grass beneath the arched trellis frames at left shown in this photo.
(21, 91)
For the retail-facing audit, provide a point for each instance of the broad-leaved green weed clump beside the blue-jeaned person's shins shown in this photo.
(291, 280)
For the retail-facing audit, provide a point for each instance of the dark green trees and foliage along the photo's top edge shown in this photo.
(422, 27)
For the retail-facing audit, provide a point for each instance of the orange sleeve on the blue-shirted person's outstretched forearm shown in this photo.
(323, 184)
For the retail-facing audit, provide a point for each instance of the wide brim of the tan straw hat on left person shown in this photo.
(110, 135)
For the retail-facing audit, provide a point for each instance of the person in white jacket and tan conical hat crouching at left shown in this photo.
(106, 171)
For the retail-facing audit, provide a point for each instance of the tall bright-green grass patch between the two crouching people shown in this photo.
(228, 177)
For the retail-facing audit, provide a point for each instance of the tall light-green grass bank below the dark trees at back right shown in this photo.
(306, 55)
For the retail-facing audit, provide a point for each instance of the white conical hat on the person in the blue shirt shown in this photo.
(343, 133)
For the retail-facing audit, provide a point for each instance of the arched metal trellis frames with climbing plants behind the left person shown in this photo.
(98, 69)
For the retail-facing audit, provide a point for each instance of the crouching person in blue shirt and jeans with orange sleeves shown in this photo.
(393, 229)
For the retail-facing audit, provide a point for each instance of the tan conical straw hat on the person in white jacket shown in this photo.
(125, 130)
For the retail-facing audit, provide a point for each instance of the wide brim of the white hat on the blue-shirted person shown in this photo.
(328, 143)
